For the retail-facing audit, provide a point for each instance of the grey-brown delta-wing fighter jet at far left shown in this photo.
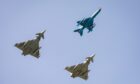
(31, 46)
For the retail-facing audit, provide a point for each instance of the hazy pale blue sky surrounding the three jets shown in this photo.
(115, 40)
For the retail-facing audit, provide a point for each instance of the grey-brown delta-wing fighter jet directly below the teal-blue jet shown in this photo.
(80, 70)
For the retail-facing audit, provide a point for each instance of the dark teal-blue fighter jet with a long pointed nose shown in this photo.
(87, 23)
